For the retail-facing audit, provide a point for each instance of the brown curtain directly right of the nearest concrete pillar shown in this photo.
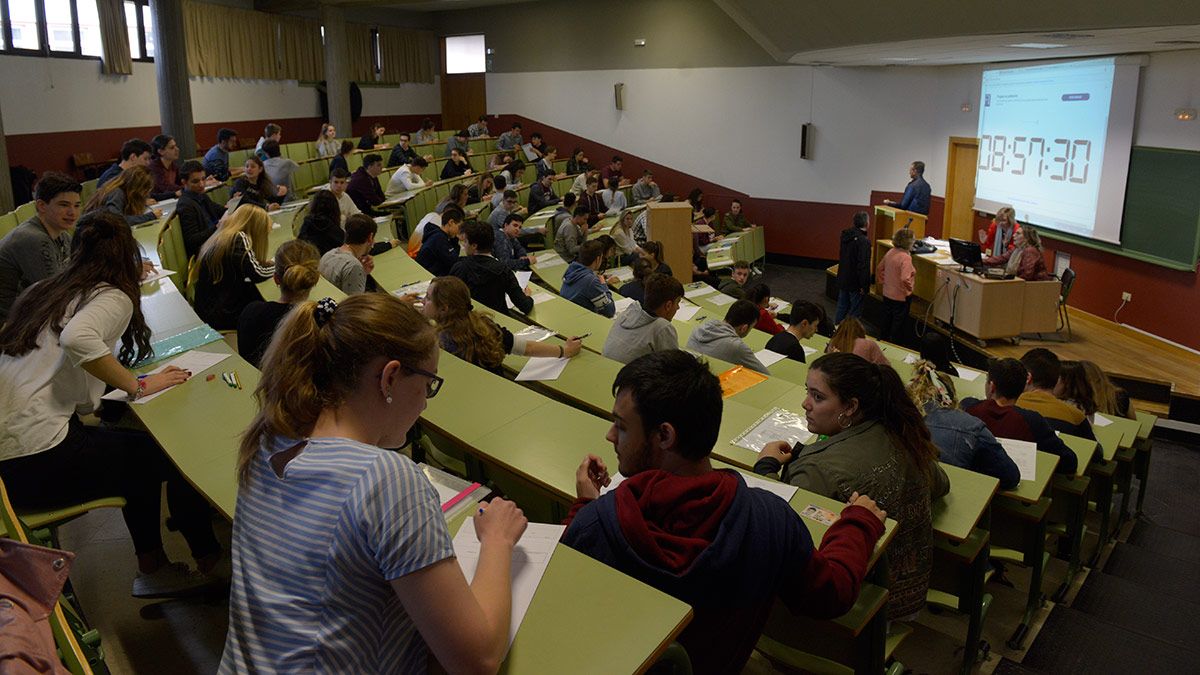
(227, 43)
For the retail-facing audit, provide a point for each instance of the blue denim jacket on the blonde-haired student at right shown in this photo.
(964, 441)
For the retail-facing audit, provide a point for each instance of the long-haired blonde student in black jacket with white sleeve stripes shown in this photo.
(231, 266)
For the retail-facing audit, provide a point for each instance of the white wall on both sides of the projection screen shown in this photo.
(740, 127)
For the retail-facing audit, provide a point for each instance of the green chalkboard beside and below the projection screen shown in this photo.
(1161, 223)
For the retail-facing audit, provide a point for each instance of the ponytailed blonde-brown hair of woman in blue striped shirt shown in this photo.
(310, 368)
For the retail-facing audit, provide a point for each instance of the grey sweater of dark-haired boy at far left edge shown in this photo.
(28, 255)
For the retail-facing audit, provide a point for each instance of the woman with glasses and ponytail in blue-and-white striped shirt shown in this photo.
(341, 558)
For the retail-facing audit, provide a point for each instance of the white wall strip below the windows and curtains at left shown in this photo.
(49, 95)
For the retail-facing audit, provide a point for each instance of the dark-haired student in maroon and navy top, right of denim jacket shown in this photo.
(1006, 420)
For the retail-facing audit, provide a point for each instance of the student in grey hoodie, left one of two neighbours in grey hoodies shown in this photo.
(646, 327)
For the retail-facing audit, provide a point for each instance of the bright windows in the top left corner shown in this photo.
(70, 28)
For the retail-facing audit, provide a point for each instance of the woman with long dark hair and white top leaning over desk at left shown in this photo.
(55, 366)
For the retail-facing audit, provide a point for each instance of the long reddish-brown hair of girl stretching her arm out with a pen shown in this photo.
(472, 336)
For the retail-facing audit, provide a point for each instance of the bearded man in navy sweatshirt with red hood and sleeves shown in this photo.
(703, 535)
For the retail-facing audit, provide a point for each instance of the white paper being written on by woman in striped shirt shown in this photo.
(530, 561)
